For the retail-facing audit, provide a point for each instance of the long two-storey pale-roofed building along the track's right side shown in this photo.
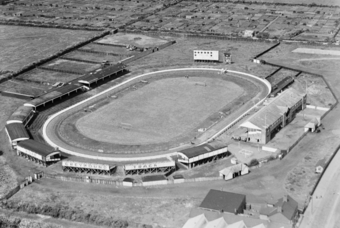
(263, 125)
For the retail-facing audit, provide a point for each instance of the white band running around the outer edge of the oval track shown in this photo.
(139, 158)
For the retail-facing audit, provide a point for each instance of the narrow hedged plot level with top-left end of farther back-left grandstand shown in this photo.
(62, 64)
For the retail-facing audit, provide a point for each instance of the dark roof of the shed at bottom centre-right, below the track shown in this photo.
(222, 201)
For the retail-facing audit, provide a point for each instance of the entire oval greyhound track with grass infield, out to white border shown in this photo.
(153, 115)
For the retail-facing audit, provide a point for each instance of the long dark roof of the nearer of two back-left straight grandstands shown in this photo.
(56, 93)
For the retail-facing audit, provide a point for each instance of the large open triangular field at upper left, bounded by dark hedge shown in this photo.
(23, 45)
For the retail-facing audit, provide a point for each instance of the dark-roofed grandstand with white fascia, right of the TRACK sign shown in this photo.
(203, 154)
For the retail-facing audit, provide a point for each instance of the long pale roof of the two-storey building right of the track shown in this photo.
(274, 110)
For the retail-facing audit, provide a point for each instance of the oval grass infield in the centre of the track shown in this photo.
(159, 111)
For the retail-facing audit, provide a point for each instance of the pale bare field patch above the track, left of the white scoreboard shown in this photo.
(132, 39)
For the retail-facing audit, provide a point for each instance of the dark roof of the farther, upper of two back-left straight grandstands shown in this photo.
(102, 73)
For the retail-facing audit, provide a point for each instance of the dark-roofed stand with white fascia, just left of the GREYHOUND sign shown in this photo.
(38, 152)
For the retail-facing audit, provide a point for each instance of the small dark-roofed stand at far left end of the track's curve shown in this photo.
(16, 132)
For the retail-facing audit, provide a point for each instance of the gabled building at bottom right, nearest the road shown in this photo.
(284, 211)
